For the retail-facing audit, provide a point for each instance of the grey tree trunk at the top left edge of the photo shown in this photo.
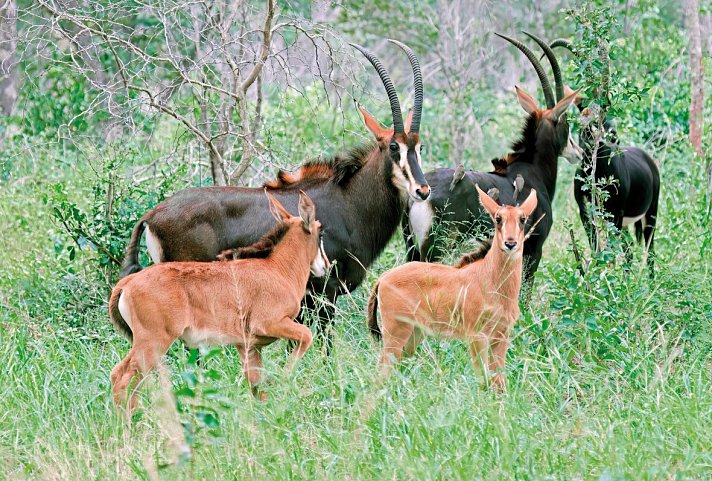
(8, 64)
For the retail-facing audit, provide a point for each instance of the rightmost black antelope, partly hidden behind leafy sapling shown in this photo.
(632, 197)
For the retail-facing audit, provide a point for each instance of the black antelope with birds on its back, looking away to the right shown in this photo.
(453, 203)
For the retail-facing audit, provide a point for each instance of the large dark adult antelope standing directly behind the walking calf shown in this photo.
(361, 194)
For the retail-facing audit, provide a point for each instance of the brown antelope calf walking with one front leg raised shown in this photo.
(250, 300)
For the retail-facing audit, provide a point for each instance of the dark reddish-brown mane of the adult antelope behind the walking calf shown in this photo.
(340, 169)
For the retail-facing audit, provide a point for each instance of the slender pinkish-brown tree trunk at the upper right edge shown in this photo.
(694, 49)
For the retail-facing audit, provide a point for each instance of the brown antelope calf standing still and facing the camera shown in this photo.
(476, 301)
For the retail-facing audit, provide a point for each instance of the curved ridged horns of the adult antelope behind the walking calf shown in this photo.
(398, 127)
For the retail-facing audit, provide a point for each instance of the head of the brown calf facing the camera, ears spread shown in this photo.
(509, 221)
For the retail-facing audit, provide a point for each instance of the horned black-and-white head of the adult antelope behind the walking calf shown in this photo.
(402, 141)
